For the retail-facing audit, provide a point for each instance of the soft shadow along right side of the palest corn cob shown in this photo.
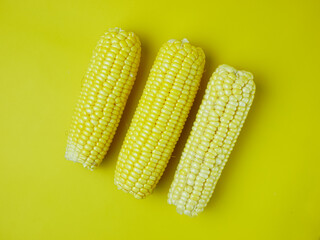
(247, 133)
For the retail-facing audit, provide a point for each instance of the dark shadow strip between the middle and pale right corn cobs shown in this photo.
(167, 177)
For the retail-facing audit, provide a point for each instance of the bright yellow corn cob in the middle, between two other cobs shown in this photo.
(159, 118)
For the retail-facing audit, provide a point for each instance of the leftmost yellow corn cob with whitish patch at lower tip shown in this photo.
(104, 92)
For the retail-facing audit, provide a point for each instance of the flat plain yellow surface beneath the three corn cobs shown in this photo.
(270, 186)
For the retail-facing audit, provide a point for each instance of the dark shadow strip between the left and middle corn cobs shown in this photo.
(132, 102)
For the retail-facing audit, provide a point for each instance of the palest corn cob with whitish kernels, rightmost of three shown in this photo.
(223, 110)
